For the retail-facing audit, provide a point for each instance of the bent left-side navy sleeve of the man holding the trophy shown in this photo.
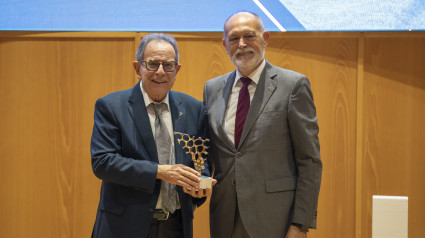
(108, 163)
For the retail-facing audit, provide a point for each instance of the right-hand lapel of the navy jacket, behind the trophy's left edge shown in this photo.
(177, 116)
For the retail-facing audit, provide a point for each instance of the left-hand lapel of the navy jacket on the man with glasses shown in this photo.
(137, 109)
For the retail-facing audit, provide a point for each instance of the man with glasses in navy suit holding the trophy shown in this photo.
(149, 188)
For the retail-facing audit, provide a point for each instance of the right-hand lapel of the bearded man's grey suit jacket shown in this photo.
(265, 88)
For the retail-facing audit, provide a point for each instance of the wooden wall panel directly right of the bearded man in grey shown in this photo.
(330, 64)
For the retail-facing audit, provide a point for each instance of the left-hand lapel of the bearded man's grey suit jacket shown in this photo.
(223, 98)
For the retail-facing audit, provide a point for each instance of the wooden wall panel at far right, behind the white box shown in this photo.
(394, 129)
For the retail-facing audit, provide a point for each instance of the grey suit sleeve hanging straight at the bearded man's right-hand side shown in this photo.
(304, 135)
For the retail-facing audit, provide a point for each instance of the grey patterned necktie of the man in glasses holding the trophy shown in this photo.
(163, 146)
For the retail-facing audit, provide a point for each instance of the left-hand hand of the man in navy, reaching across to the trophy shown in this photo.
(179, 174)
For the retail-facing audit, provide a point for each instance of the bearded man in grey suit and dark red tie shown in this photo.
(264, 141)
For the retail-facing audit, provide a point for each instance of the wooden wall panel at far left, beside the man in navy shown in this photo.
(48, 88)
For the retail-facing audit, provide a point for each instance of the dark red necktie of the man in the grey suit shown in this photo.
(242, 111)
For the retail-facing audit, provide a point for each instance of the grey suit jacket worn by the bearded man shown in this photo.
(274, 175)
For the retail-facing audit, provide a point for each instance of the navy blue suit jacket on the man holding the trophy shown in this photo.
(124, 156)
